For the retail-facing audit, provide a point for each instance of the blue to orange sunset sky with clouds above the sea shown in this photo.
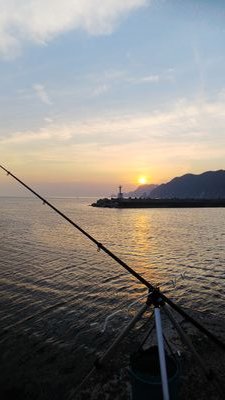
(94, 94)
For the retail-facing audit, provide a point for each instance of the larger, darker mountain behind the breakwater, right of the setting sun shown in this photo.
(209, 185)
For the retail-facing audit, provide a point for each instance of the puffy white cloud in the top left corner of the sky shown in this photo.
(40, 21)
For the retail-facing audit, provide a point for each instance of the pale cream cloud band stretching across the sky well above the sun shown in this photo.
(183, 125)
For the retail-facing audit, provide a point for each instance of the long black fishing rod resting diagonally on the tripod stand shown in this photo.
(152, 289)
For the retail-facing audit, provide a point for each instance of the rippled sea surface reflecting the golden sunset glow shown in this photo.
(55, 284)
